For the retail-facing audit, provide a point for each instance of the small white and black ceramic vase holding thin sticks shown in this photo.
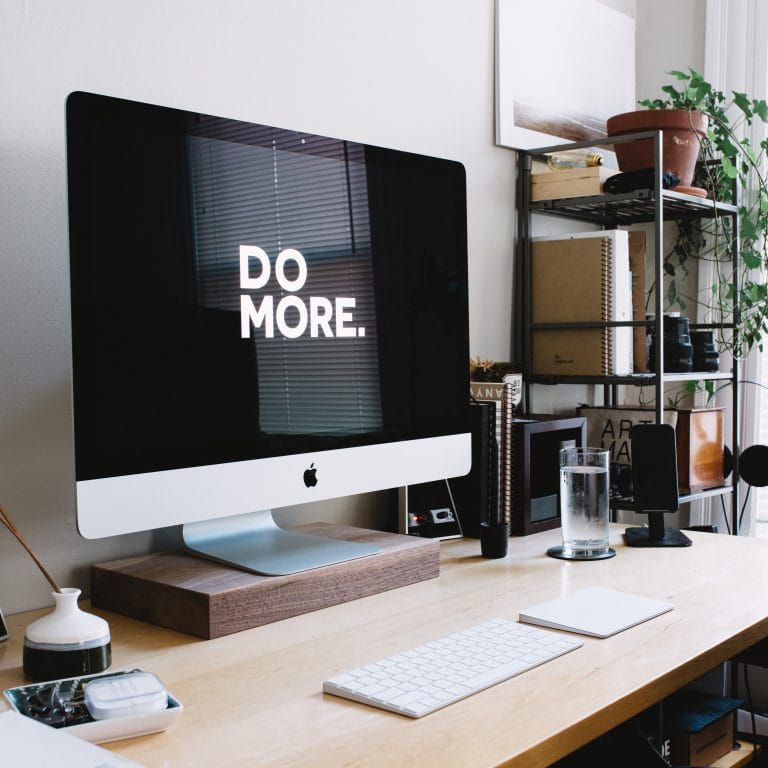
(68, 642)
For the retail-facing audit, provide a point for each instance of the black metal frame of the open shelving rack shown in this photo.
(653, 206)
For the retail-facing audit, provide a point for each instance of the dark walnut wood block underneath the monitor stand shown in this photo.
(206, 599)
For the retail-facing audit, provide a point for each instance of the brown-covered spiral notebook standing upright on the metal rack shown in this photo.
(581, 278)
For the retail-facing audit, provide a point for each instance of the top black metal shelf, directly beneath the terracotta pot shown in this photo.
(632, 207)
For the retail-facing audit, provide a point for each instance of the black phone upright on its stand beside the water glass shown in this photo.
(654, 485)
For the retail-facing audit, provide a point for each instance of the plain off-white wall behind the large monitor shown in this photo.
(410, 74)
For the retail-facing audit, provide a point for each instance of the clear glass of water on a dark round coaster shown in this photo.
(584, 490)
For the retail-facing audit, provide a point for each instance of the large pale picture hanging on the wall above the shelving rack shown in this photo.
(540, 102)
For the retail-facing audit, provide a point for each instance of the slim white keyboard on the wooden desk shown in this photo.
(428, 677)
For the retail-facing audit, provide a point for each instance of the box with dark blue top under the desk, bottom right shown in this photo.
(700, 727)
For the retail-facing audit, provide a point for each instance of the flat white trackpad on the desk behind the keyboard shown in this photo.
(595, 611)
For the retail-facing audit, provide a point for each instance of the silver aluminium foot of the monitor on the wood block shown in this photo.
(255, 542)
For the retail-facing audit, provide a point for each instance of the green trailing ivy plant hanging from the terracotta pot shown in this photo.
(728, 163)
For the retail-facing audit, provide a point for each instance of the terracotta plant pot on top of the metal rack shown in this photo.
(682, 132)
